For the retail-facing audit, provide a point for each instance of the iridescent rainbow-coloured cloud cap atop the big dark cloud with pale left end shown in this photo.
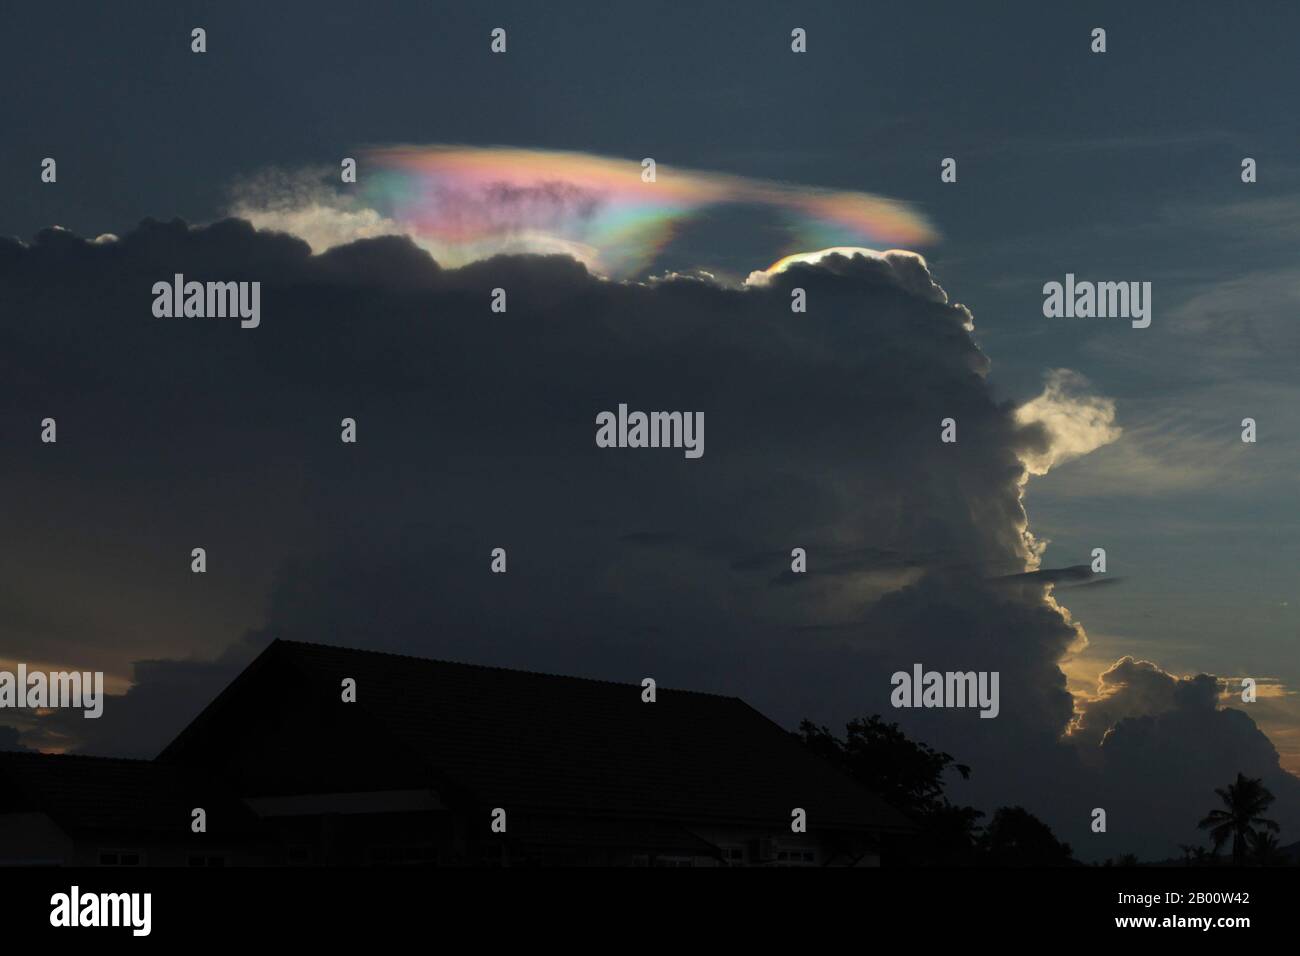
(465, 204)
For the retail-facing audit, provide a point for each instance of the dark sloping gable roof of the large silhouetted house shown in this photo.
(573, 746)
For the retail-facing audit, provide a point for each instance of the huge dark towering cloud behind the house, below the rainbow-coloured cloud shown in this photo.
(476, 431)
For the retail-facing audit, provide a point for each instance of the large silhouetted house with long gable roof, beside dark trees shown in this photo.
(358, 758)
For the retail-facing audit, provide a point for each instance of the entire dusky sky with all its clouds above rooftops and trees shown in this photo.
(1124, 167)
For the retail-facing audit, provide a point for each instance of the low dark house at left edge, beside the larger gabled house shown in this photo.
(71, 811)
